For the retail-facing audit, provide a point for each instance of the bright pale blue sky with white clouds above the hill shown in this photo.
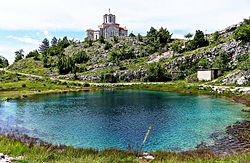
(25, 23)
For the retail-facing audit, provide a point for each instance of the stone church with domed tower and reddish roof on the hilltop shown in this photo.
(109, 28)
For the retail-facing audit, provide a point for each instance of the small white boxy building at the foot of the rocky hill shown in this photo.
(207, 75)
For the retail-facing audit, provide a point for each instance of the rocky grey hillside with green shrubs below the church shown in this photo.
(139, 59)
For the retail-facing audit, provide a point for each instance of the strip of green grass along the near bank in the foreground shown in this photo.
(49, 153)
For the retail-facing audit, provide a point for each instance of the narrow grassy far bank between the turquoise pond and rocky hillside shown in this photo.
(233, 94)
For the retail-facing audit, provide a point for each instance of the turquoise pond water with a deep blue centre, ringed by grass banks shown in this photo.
(114, 119)
